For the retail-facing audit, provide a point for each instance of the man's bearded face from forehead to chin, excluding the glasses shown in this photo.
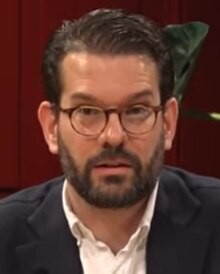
(114, 169)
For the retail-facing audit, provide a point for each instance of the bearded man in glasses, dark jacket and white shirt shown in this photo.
(110, 115)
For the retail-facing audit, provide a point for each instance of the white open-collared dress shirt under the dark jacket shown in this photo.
(96, 257)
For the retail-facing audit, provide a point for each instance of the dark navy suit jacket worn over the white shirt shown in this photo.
(184, 237)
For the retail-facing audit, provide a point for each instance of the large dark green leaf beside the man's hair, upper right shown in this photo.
(186, 41)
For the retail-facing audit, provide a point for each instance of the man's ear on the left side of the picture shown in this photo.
(48, 122)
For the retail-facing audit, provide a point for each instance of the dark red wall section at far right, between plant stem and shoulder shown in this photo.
(200, 147)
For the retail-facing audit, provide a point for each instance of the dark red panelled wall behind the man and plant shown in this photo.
(25, 26)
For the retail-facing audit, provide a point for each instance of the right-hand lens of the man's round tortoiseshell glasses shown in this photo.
(138, 119)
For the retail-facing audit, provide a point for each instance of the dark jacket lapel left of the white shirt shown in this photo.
(49, 245)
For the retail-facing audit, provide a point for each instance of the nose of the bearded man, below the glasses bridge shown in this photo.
(113, 134)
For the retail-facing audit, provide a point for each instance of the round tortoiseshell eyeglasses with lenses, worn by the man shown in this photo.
(91, 121)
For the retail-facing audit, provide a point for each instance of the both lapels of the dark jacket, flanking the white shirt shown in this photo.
(175, 245)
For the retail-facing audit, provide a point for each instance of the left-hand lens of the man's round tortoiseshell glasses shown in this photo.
(88, 120)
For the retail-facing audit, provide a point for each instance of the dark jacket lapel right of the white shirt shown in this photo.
(175, 244)
